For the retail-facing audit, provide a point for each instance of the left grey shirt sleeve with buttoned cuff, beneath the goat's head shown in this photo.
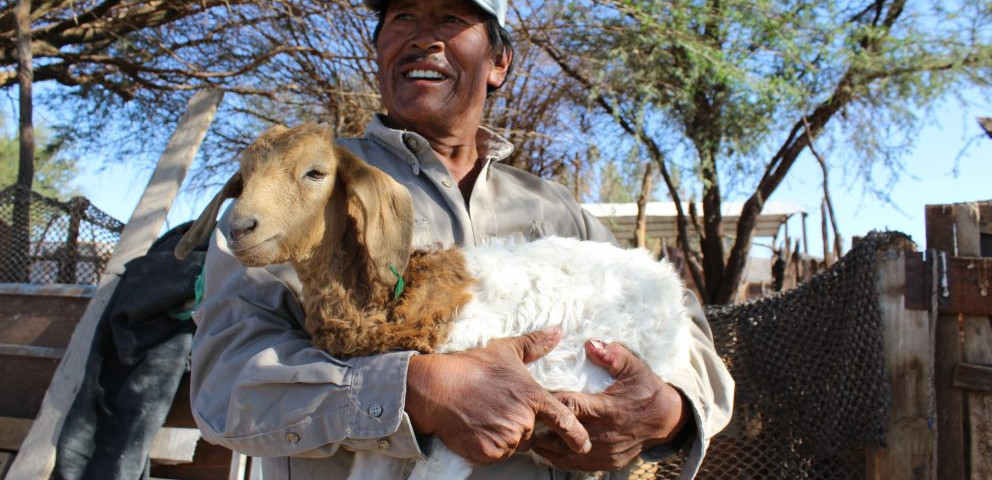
(258, 387)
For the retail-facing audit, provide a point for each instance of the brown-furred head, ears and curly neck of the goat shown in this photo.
(352, 225)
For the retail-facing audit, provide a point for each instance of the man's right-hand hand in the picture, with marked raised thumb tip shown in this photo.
(635, 413)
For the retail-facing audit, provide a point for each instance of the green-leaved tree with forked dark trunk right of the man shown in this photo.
(750, 85)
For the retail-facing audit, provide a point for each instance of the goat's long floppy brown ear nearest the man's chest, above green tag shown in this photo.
(383, 211)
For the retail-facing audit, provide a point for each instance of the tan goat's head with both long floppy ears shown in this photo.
(296, 192)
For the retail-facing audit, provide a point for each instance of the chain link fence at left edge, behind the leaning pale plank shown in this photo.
(47, 241)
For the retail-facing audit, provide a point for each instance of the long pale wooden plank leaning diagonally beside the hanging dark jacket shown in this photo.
(37, 458)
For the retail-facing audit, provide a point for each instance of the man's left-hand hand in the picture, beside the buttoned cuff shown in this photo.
(483, 402)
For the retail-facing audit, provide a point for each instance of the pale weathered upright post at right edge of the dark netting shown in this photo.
(911, 445)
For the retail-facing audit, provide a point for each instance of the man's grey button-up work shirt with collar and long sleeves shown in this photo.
(260, 388)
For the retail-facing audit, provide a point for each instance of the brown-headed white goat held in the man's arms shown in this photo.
(346, 227)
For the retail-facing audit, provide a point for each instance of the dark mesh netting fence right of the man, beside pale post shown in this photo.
(812, 393)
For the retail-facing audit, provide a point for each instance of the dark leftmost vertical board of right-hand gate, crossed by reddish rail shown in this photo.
(951, 463)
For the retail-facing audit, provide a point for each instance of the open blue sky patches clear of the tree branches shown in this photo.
(949, 162)
